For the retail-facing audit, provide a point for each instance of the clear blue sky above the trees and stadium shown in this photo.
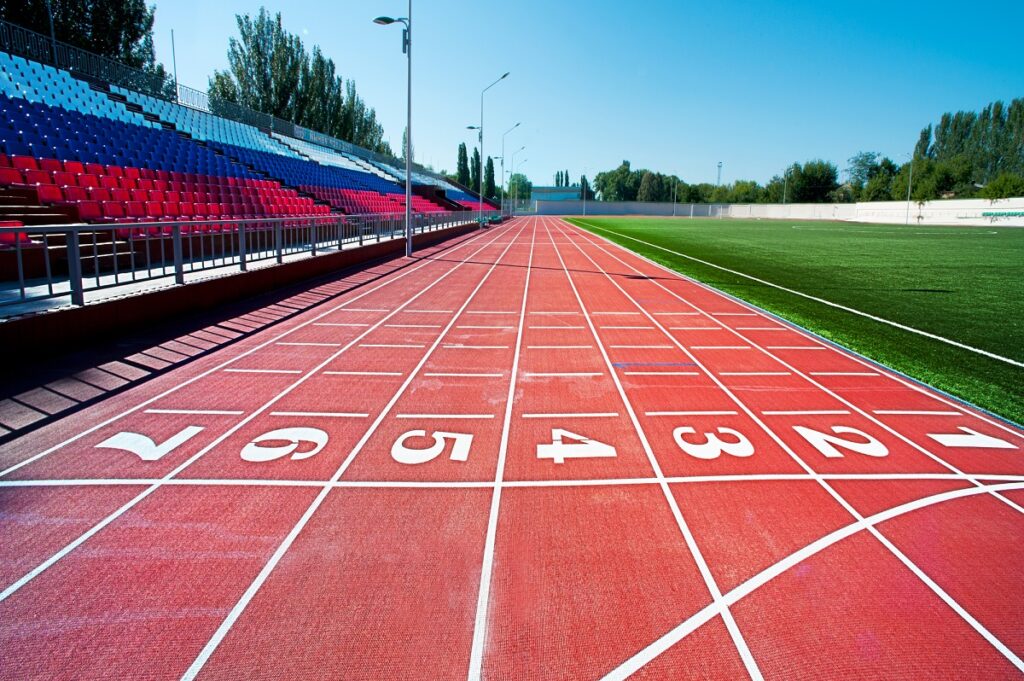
(672, 87)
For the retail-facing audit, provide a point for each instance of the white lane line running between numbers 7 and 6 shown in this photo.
(99, 527)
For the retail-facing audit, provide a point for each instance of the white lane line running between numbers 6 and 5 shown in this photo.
(286, 544)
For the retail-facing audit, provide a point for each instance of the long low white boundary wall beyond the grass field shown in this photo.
(966, 212)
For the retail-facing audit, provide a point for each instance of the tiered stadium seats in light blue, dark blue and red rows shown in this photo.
(75, 146)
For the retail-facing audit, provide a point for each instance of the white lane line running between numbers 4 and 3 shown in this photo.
(713, 588)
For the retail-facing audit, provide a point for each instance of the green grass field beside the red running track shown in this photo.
(962, 284)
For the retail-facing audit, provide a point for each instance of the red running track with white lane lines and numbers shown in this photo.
(531, 454)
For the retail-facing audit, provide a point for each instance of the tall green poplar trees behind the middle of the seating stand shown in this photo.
(271, 71)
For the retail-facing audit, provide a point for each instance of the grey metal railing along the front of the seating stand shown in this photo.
(64, 264)
